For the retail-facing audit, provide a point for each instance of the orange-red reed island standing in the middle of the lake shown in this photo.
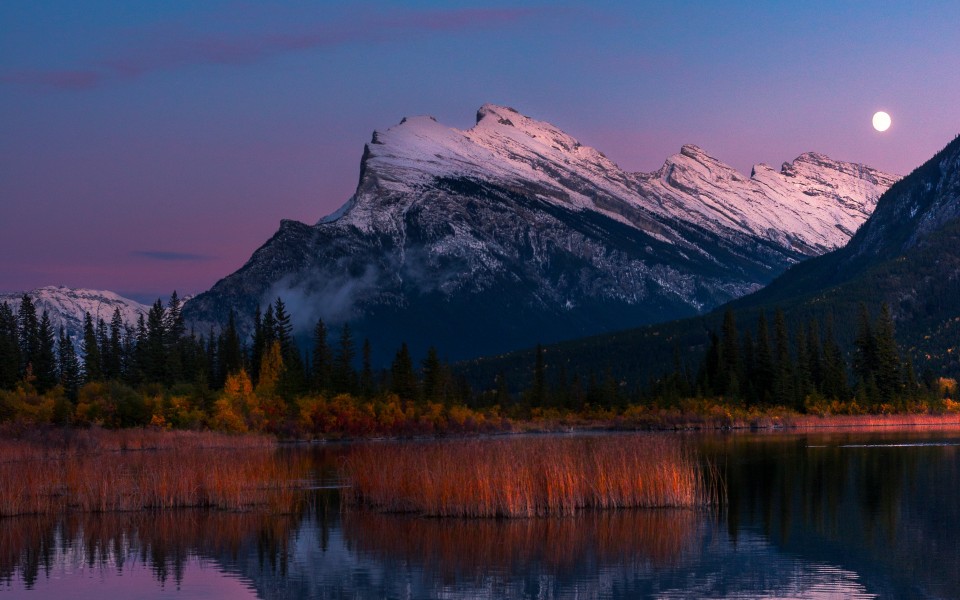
(527, 477)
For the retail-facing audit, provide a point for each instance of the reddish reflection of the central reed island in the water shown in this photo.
(462, 547)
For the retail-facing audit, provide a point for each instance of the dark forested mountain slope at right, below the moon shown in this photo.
(906, 255)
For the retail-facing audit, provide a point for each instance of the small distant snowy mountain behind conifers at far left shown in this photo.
(66, 307)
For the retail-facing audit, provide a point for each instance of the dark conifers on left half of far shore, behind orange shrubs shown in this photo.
(159, 351)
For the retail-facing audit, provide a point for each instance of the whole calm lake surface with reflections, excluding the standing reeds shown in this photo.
(841, 515)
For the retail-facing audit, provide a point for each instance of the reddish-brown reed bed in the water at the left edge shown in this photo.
(103, 471)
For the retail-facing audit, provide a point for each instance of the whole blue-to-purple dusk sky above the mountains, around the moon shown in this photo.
(152, 146)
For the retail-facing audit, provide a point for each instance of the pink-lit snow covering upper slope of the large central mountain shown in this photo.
(812, 204)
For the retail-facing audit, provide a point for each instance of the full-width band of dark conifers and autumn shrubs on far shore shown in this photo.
(220, 380)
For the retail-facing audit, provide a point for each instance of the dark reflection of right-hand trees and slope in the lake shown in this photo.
(882, 505)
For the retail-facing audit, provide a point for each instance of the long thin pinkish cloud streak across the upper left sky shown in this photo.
(180, 49)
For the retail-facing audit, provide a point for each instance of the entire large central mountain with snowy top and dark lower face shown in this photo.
(512, 232)
